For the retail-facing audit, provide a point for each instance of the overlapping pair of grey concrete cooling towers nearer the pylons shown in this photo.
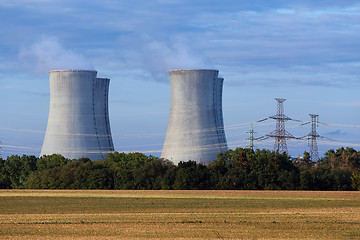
(196, 128)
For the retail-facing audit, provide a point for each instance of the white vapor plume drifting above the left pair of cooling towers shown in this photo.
(48, 54)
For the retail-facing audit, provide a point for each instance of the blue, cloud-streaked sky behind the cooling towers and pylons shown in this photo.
(304, 51)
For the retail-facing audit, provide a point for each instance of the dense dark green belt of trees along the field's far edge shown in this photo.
(242, 169)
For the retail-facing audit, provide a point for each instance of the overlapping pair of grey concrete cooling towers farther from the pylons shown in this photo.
(78, 123)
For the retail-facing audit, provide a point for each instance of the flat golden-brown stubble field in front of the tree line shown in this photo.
(94, 214)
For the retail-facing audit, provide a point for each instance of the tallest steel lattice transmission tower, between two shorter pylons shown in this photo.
(280, 134)
